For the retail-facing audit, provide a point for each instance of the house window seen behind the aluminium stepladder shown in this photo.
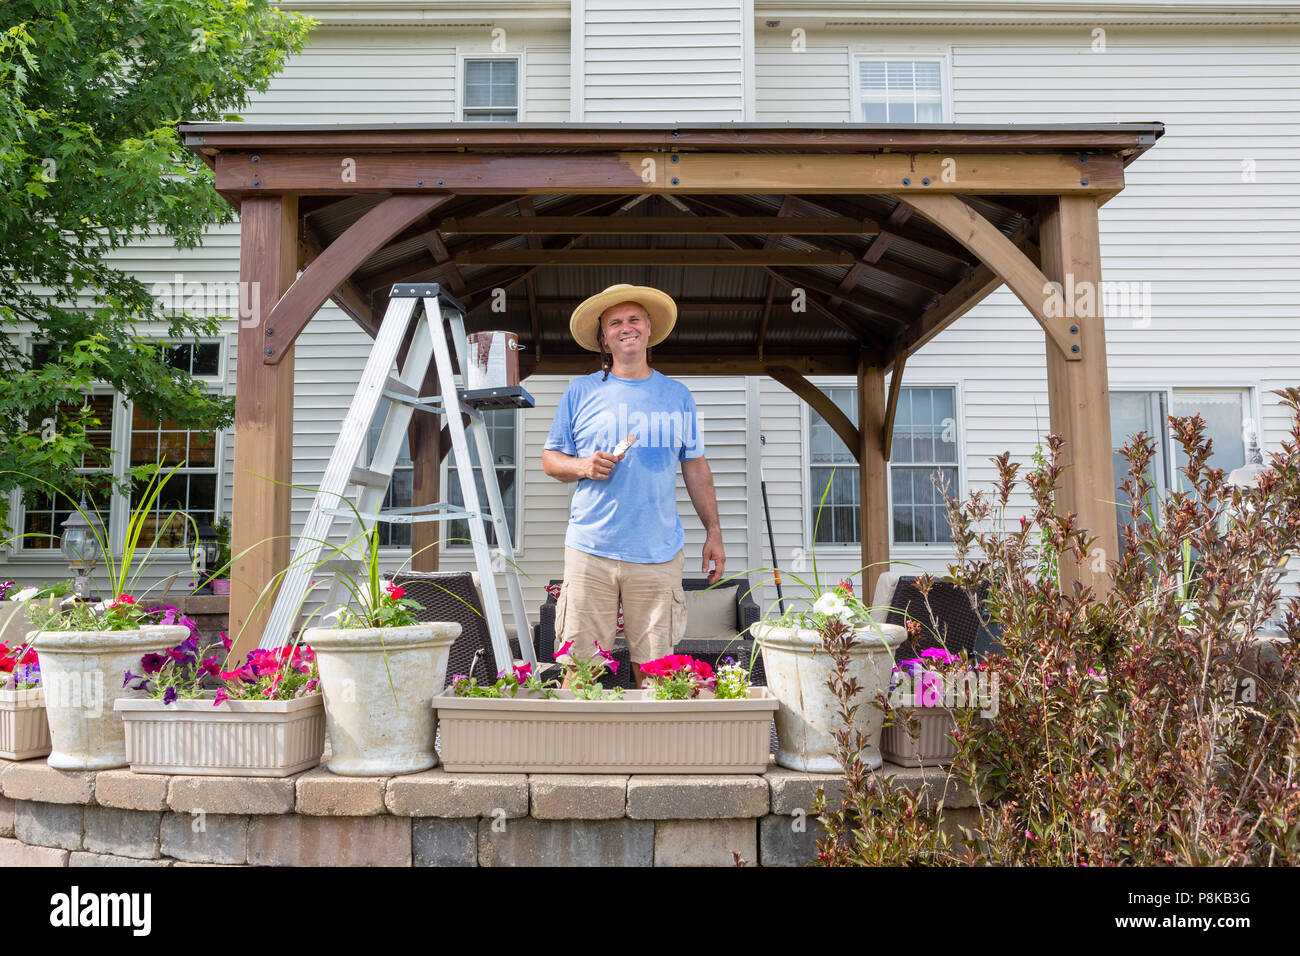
(502, 436)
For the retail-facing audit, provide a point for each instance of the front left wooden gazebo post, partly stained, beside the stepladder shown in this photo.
(265, 418)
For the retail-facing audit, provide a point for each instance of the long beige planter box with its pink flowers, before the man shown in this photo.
(686, 721)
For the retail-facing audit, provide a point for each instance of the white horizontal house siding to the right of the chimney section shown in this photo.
(1221, 254)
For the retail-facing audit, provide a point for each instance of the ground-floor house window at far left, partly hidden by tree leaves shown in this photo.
(144, 440)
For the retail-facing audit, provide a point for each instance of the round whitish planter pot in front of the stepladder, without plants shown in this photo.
(379, 690)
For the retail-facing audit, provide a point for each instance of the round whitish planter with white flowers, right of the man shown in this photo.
(799, 668)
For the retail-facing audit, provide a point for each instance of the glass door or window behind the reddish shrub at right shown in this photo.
(1227, 414)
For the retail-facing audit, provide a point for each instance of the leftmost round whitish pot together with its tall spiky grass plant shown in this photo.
(84, 644)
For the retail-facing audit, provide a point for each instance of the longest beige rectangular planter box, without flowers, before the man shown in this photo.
(636, 736)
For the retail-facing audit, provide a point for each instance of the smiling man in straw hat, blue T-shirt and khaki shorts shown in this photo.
(625, 537)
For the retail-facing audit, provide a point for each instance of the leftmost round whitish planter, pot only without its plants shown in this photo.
(81, 673)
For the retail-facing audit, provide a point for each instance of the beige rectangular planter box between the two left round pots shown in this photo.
(239, 738)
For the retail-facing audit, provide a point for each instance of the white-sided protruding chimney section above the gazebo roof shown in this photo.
(666, 62)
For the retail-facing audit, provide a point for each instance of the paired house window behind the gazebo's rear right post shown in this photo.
(925, 445)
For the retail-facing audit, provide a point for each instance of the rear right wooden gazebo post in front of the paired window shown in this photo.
(873, 475)
